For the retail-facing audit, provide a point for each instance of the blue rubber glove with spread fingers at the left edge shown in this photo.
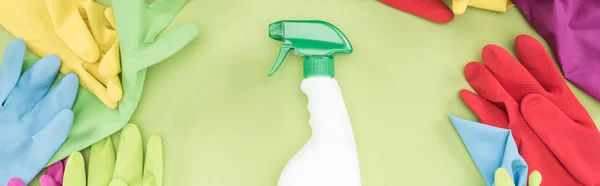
(33, 122)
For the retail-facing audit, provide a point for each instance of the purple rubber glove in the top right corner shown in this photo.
(572, 29)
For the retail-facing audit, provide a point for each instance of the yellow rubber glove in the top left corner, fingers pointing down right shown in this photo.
(81, 32)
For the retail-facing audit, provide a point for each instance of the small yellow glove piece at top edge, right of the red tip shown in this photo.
(459, 6)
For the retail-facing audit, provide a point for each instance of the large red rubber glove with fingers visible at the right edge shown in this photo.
(515, 95)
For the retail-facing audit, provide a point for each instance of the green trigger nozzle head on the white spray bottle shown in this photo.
(317, 40)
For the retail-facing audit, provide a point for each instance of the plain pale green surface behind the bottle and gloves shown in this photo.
(225, 123)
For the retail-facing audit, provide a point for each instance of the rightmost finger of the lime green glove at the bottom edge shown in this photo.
(153, 167)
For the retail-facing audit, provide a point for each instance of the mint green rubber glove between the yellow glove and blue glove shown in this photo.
(138, 24)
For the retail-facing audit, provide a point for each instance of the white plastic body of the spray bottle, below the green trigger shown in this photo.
(329, 158)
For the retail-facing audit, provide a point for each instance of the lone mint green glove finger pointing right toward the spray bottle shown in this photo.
(163, 47)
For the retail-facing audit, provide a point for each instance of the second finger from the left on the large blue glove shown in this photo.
(34, 84)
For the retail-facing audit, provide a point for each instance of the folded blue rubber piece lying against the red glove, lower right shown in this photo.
(490, 148)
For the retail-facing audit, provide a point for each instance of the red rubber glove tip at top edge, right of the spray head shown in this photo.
(434, 10)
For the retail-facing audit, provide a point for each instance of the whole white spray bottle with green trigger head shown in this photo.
(330, 156)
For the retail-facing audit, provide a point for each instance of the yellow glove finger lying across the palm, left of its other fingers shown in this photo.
(72, 29)
